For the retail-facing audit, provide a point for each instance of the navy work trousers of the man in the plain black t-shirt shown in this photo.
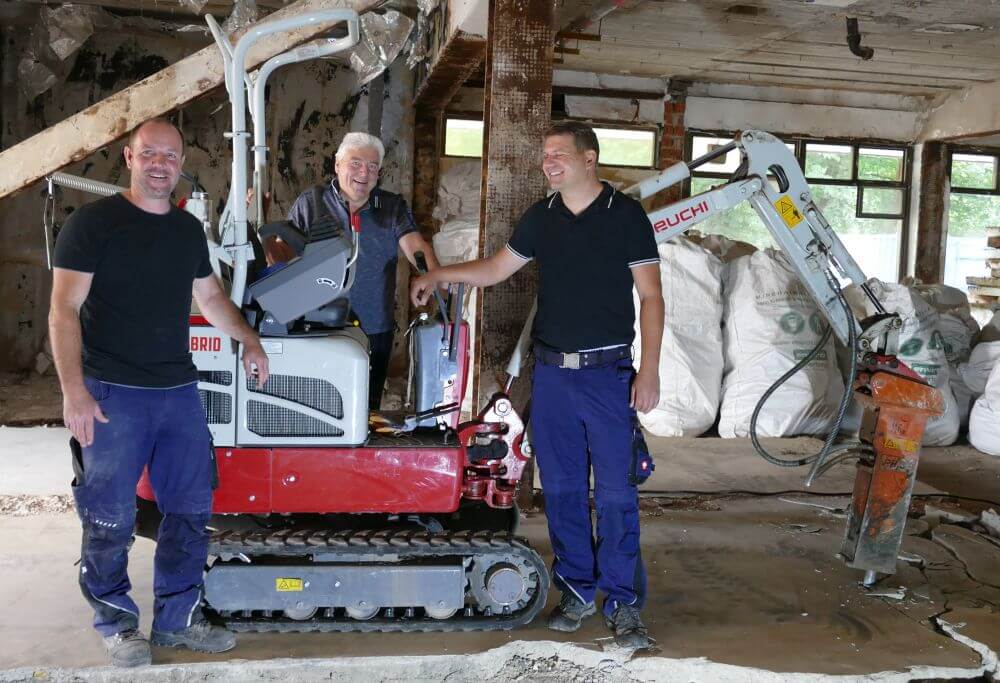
(165, 430)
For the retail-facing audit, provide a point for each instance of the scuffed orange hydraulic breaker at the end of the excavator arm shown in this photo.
(897, 404)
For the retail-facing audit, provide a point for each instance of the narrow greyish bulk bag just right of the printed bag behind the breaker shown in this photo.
(959, 329)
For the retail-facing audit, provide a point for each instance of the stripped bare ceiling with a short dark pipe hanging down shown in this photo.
(922, 47)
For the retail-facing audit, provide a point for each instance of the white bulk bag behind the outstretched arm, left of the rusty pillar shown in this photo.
(458, 239)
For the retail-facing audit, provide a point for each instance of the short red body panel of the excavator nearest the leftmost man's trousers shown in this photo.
(244, 480)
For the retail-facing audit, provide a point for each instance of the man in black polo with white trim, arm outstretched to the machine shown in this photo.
(592, 244)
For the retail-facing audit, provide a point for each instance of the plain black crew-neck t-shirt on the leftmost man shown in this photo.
(135, 318)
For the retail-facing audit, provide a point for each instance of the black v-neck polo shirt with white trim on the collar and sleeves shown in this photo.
(584, 268)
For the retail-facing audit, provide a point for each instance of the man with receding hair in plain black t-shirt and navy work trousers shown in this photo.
(125, 270)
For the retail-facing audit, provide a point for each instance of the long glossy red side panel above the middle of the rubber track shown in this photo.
(367, 480)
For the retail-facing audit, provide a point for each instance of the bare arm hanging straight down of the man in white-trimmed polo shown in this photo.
(646, 389)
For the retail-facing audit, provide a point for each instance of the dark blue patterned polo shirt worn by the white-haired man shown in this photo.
(385, 219)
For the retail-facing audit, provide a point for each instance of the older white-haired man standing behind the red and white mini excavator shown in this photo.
(384, 225)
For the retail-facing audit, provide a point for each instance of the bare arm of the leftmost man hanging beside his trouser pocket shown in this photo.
(69, 290)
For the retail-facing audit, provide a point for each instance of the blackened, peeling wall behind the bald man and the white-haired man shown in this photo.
(310, 107)
